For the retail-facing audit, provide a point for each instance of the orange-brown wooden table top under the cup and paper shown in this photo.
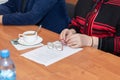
(89, 64)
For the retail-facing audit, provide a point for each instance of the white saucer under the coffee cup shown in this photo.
(22, 42)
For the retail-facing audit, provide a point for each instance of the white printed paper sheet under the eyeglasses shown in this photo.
(46, 56)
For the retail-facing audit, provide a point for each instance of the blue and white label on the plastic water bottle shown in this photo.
(7, 75)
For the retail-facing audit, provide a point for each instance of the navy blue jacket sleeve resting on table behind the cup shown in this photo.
(39, 10)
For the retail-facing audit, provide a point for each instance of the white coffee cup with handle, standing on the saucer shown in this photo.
(29, 36)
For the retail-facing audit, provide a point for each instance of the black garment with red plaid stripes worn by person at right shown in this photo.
(100, 18)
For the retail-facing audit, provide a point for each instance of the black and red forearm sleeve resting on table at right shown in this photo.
(111, 44)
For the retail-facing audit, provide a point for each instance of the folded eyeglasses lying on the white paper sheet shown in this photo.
(55, 45)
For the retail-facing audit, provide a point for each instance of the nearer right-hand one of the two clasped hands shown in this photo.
(79, 40)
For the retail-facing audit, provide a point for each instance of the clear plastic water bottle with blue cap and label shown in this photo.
(7, 67)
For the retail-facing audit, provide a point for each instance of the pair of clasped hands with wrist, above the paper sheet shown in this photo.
(72, 39)
